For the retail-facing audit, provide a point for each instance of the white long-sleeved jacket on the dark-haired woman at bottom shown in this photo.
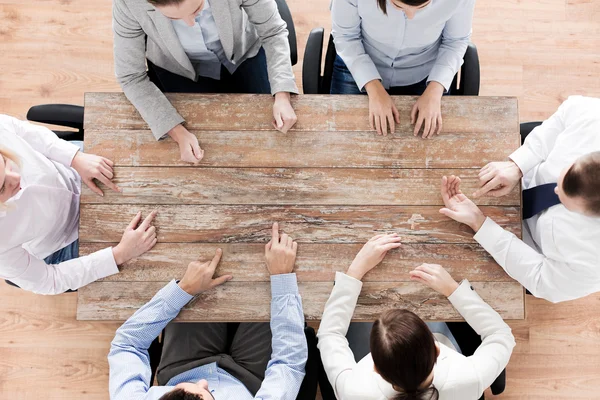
(454, 375)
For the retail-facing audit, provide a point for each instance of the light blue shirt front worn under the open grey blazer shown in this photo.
(202, 44)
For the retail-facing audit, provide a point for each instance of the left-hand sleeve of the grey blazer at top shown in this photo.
(131, 73)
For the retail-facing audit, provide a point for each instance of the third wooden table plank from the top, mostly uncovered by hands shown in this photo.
(304, 186)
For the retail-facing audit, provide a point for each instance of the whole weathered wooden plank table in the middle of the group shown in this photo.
(331, 183)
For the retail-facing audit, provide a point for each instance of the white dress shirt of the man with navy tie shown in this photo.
(559, 257)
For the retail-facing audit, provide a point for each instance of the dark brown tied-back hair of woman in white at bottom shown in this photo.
(404, 353)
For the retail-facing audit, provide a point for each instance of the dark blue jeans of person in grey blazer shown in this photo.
(250, 77)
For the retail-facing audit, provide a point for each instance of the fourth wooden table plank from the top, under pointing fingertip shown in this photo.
(309, 224)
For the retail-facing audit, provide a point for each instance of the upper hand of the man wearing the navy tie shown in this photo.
(498, 179)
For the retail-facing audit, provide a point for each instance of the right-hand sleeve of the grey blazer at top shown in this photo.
(273, 33)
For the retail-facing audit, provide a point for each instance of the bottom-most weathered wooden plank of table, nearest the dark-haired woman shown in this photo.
(230, 302)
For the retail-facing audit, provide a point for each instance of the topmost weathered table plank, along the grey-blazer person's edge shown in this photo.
(254, 112)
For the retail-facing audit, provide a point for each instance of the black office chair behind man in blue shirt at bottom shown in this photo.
(308, 389)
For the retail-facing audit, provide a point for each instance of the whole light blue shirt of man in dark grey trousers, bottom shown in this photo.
(130, 365)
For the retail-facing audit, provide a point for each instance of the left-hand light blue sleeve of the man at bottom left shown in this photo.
(128, 359)
